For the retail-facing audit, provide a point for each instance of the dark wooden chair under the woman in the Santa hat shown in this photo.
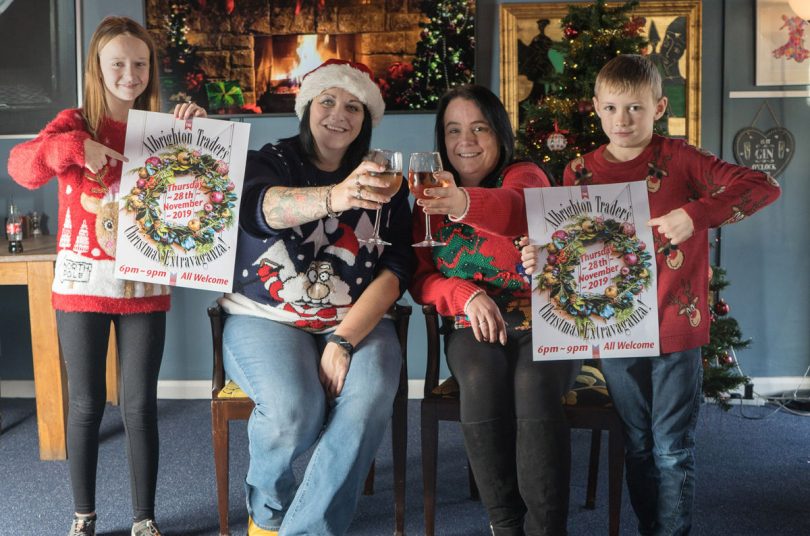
(229, 402)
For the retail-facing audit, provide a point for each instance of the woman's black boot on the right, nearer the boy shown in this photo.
(544, 472)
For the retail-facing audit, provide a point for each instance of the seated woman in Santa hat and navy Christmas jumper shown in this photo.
(305, 336)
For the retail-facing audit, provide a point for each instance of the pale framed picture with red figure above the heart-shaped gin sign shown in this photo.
(783, 52)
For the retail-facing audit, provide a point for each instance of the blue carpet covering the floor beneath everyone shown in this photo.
(753, 478)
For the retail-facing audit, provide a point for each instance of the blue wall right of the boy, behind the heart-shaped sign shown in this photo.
(766, 255)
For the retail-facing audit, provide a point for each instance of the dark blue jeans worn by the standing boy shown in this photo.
(658, 399)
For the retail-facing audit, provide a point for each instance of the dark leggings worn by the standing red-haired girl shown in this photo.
(83, 338)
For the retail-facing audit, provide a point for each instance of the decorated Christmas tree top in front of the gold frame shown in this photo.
(562, 125)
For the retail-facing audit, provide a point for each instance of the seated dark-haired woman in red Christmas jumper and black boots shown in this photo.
(515, 431)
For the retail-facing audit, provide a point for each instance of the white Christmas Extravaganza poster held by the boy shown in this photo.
(594, 291)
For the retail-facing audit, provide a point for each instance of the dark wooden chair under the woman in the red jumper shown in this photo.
(441, 403)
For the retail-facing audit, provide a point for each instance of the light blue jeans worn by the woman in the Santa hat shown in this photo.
(277, 367)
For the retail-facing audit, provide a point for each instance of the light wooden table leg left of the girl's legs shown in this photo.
(49, 374)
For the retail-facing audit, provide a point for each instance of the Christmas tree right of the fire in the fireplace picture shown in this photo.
(445, 53)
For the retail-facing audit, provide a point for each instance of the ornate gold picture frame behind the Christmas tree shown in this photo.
(519, 22)
